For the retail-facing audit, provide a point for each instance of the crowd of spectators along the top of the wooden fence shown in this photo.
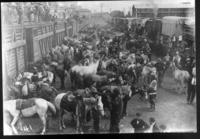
(29, 12)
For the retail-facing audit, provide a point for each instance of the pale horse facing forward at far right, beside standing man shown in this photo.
(180, 77)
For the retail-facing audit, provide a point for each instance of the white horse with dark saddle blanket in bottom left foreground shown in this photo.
(27, 108)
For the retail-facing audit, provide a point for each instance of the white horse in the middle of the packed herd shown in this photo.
(85, 70)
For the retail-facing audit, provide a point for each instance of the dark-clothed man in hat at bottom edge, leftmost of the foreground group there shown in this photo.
(138, 124)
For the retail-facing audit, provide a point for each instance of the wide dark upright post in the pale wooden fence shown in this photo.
(29, 51)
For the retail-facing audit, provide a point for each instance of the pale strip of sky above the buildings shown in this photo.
(108, 6)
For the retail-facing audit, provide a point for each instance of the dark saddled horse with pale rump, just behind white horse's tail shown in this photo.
(78, 105)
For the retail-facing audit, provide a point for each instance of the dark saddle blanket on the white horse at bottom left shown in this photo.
(23, 104)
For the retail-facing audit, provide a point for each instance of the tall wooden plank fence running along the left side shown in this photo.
(23, 45)
